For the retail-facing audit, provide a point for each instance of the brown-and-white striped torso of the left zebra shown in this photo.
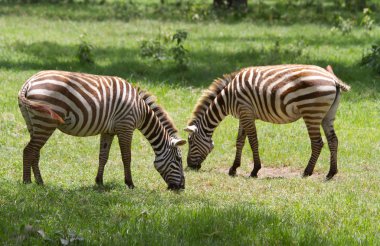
(88, 104)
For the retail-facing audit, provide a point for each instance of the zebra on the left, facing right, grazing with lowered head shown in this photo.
(85, 105)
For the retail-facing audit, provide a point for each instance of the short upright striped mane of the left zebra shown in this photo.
(161, 114)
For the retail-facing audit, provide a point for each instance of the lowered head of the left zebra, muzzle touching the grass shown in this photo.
(169, 164)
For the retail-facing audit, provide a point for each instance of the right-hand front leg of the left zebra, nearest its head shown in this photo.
(125, 140)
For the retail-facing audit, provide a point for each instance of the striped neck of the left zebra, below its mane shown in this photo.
(154, 131)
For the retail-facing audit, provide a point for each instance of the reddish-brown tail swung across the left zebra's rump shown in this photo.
(37, 106)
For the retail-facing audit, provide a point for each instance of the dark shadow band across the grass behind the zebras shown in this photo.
(204, 67)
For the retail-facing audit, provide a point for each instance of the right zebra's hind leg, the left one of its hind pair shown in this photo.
(313, 127)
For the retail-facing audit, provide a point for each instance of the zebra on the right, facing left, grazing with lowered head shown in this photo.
(277, 94)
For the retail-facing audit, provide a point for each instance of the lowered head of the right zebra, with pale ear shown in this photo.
(200, 145)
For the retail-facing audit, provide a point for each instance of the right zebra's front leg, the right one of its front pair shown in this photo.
(248, 123)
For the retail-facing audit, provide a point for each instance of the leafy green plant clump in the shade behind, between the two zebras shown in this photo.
(165, 48)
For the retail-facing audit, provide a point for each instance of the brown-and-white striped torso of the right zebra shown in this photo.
(285, 93)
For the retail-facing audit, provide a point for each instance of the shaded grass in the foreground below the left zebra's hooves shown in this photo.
(141, 217)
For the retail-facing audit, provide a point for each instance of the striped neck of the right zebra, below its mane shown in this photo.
(215, 113)
